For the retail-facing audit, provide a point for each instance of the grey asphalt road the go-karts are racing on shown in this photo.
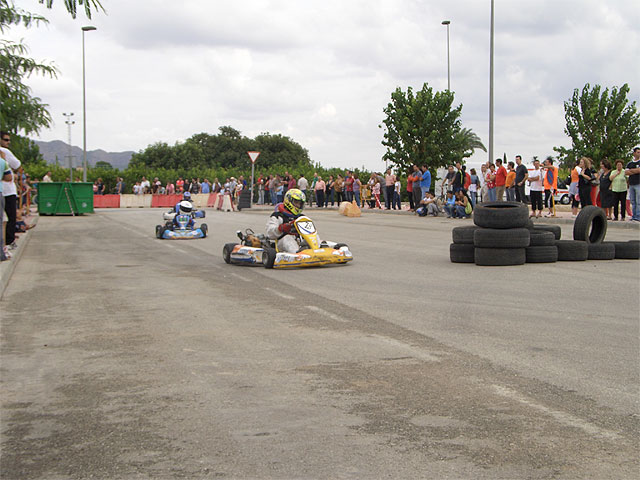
(124, 356)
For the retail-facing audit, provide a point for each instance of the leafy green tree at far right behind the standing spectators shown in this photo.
(601, 124)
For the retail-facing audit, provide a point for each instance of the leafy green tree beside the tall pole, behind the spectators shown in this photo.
(423, 128)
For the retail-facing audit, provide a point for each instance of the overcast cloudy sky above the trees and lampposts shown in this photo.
(321, 72)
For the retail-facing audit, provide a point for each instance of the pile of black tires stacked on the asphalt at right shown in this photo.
(504, 235)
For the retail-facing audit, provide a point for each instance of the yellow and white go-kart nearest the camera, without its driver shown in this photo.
(260, 250)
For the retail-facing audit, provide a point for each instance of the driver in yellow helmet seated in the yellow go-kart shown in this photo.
(280, 224)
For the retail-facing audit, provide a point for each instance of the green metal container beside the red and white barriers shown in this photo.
(64, 198)
